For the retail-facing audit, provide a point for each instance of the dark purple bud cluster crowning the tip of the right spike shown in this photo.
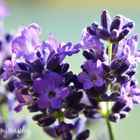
(111, 30)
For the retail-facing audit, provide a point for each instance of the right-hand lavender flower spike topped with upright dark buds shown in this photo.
(108, 74)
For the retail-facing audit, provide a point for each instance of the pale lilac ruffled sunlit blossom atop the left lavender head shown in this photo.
(27, 43)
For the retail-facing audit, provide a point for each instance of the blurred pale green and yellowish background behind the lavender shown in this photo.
(66, 19)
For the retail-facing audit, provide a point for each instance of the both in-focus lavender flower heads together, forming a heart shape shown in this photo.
(105, 88)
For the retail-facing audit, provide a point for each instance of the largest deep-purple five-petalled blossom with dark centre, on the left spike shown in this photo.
(52, 95)
